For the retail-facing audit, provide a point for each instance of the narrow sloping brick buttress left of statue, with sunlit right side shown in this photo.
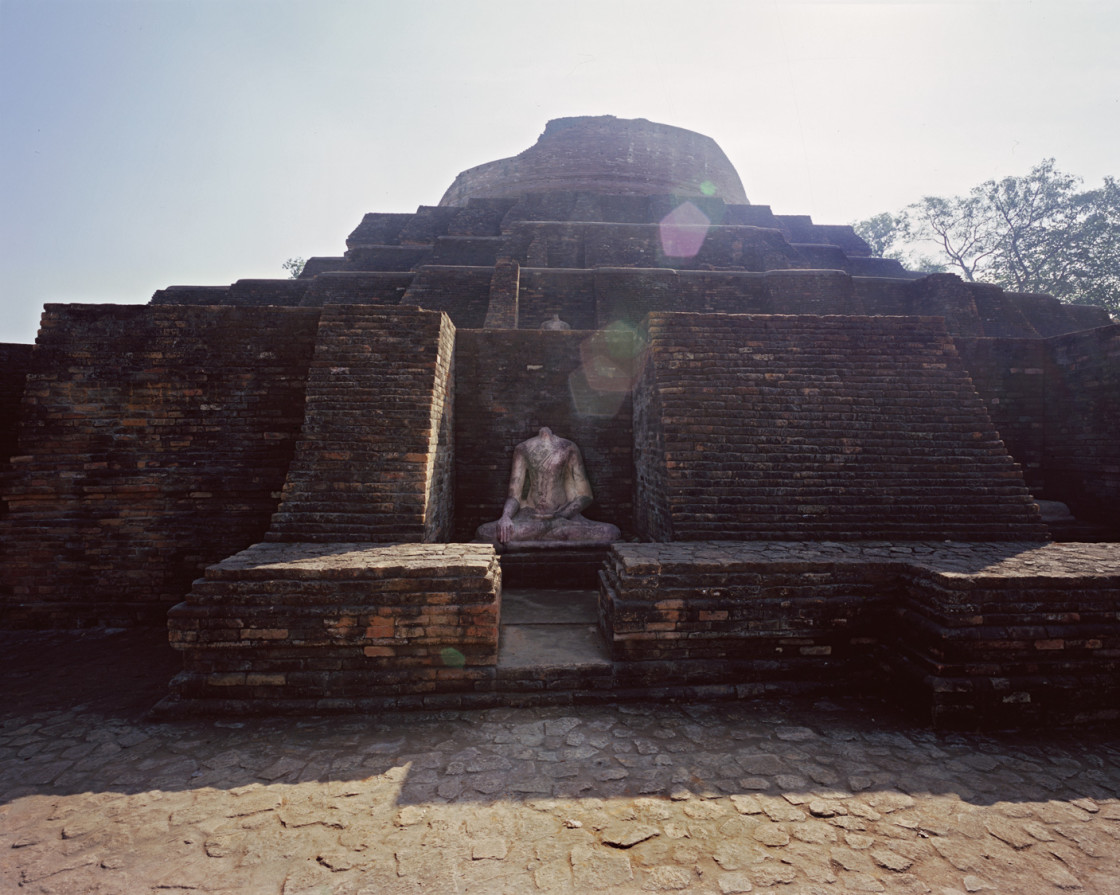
(374, 462)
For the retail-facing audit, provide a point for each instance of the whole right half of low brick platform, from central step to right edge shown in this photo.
(968, 633)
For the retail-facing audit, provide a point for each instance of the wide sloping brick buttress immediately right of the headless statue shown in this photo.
(806, 427)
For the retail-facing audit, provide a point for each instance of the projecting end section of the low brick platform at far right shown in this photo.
(1028, 638)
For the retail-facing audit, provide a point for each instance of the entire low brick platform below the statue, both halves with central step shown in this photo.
(1004, 635)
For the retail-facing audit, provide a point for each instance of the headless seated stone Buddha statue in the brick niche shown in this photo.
(548, 490)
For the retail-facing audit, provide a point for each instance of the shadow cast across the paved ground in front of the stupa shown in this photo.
(74, 720)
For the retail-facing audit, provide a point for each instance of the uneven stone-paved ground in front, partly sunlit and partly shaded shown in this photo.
(791, 797)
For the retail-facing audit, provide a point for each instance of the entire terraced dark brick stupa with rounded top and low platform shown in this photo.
(825, 467)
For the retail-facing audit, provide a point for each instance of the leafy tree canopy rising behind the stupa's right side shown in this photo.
(1037, 234)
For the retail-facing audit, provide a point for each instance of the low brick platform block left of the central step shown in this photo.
(325, 627)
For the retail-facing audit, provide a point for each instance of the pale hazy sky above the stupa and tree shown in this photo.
(152, 143)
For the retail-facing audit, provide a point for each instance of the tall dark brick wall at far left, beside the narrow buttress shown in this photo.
(155, 442)
